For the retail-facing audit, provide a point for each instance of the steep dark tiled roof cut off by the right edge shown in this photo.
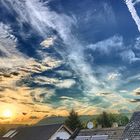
(132, 130)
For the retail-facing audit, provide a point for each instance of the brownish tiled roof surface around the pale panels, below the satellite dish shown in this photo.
(113, 133)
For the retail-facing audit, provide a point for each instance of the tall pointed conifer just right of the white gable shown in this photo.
(73, 122)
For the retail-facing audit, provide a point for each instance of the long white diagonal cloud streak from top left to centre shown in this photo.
(34, 13)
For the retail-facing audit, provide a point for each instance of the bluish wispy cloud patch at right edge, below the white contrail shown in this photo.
(117, 46)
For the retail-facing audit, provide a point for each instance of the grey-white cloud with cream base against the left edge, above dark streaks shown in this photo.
(10, 56)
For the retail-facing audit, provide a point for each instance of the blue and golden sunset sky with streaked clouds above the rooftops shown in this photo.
(56, 55)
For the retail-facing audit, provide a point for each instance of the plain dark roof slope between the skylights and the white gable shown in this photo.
(42, 132)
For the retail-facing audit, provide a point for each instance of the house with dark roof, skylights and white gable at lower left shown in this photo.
(42, 132)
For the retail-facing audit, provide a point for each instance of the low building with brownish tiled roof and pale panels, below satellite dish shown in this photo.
(100, 134)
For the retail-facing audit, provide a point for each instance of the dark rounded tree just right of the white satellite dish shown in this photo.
(104, 120)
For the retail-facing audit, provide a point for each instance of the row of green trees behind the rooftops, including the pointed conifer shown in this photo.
(105, 120)
